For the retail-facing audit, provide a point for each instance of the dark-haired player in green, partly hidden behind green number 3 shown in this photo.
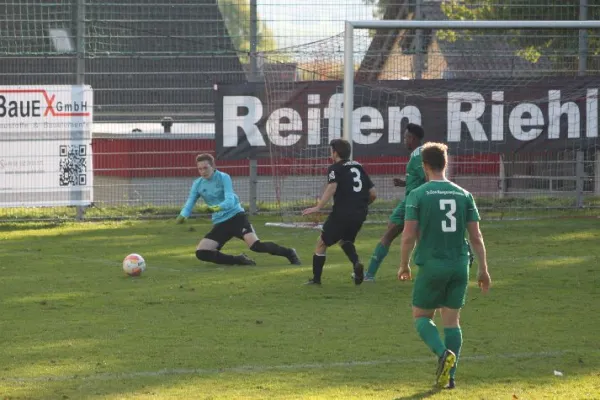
(415, 177)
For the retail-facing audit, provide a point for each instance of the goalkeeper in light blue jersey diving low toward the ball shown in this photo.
(229, 219)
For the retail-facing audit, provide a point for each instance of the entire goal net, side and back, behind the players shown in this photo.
(509, 100)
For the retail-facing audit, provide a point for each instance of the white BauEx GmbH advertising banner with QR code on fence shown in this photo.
(45, 146)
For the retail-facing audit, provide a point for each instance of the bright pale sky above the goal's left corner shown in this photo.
(295, 22)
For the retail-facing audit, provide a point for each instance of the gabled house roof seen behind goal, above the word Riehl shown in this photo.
(472, 56)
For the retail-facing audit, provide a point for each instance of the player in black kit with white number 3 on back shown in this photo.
(352, 191)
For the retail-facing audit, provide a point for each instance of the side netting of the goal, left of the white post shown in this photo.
(298, 172)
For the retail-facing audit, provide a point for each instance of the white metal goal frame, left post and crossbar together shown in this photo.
(458, 25)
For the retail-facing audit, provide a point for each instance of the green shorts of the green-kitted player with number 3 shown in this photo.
(437, 287)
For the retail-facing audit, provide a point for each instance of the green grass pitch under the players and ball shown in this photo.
(73, 327)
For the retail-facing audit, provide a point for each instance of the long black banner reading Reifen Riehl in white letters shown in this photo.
(257, 120)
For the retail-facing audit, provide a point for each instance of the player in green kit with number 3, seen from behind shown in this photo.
(439, 214)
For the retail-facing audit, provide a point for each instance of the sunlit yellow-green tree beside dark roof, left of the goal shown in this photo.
(236, 14)
